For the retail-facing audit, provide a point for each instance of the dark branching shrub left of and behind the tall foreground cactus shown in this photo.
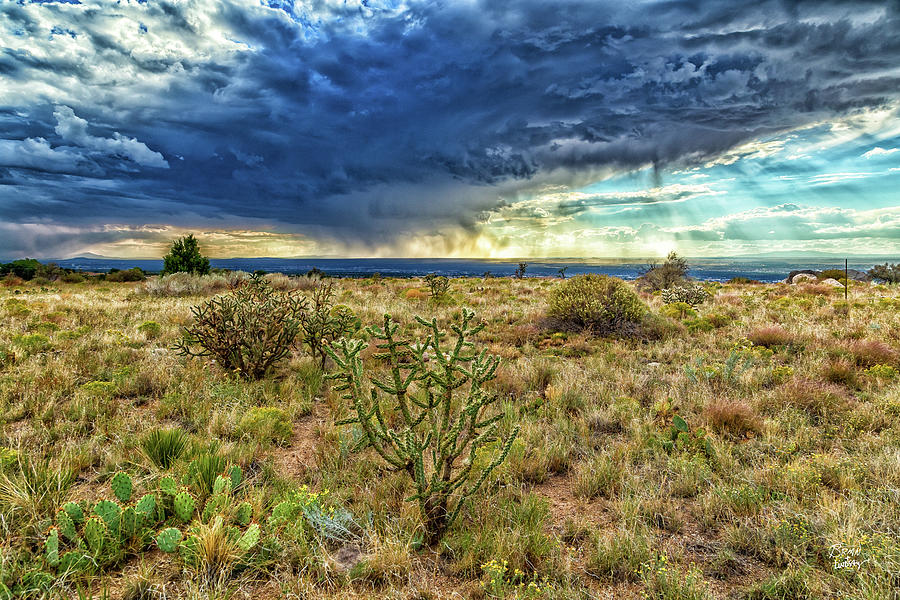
(247, 331)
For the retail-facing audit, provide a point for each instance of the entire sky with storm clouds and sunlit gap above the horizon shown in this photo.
(449, 128)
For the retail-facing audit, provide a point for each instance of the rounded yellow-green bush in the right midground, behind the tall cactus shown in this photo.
(604, 305)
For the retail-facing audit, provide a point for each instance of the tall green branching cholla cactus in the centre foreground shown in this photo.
(438, 435)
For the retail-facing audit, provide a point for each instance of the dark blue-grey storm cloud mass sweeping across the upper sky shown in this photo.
(384, 122)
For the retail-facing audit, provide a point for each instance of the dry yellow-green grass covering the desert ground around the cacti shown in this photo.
(802, 446)
